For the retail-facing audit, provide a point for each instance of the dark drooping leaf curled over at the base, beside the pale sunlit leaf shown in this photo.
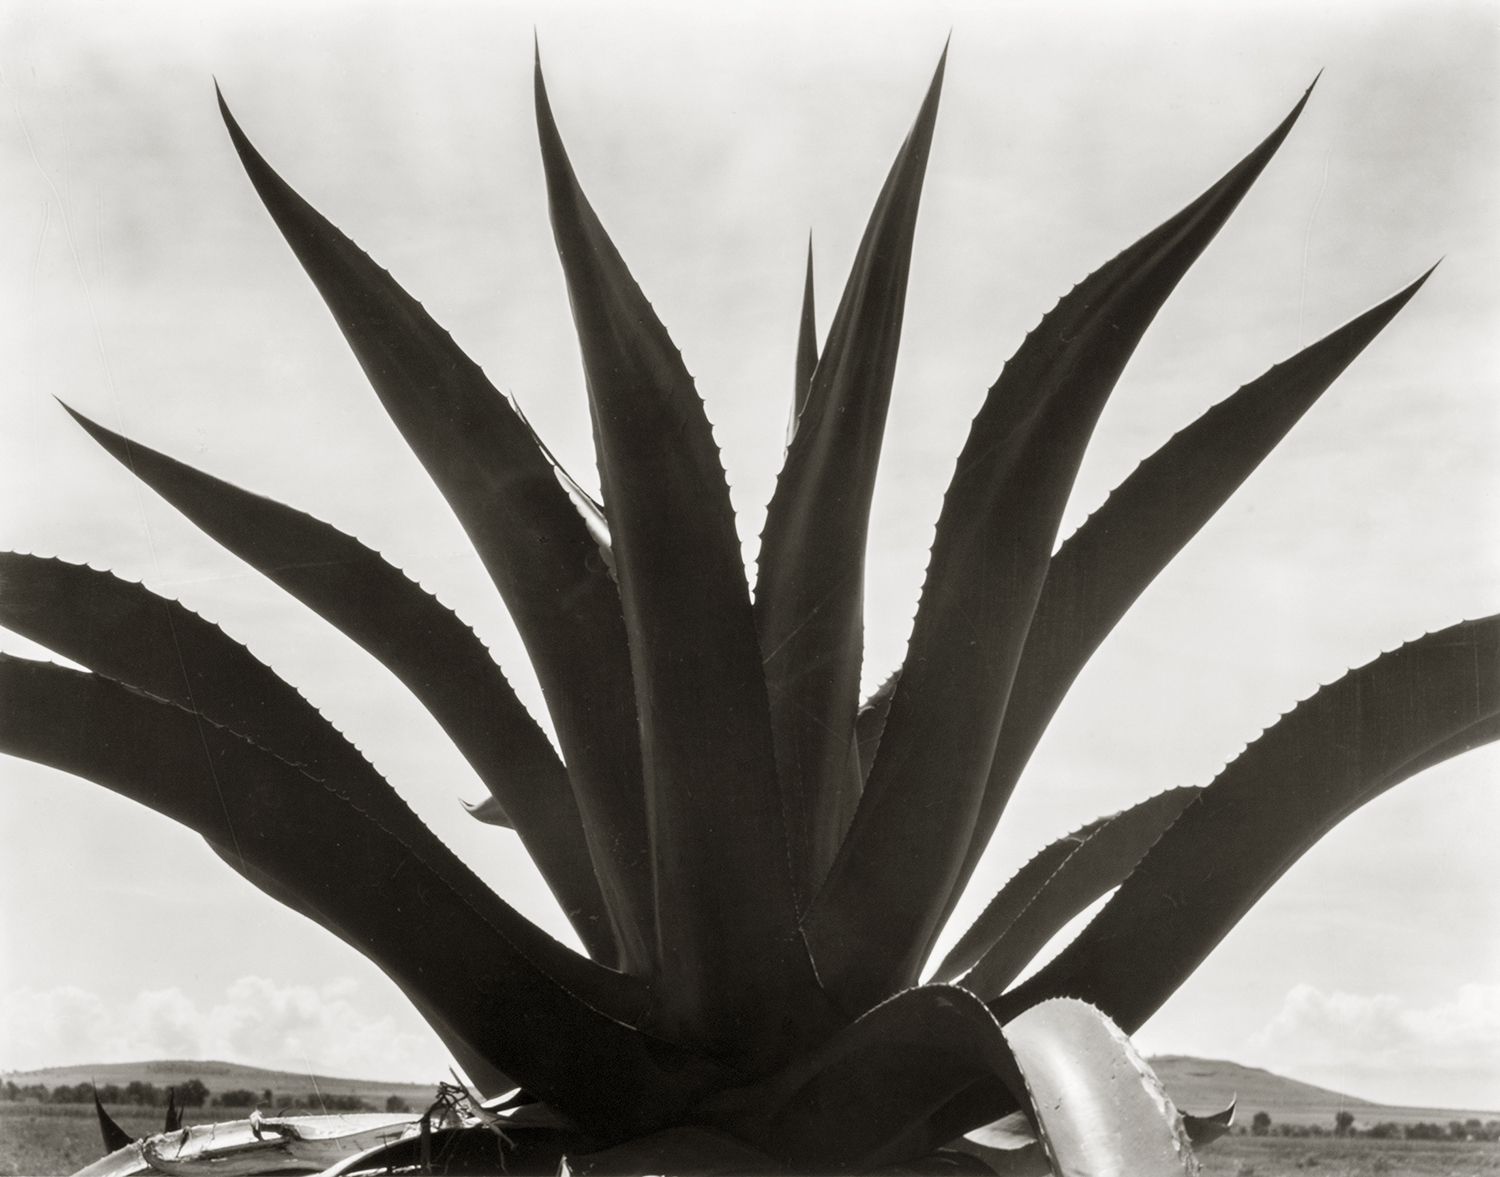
(866, 1097)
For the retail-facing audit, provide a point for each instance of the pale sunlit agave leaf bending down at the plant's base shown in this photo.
(1100, 1107)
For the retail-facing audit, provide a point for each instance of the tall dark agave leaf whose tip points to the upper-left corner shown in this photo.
(533, 542)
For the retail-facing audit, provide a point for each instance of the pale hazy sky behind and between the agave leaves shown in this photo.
(142, 281)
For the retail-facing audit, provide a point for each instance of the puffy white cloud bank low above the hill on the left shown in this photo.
(260, 1023)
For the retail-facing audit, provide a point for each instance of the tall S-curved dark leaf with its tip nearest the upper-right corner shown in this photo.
(874, 921)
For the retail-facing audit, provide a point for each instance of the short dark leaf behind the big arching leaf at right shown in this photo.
(1102, 863)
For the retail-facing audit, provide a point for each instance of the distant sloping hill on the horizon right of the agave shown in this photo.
(1208, 1085)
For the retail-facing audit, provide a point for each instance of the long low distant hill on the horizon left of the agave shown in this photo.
(226, 1077)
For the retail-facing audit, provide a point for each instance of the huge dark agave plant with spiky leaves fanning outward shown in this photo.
(757, 861)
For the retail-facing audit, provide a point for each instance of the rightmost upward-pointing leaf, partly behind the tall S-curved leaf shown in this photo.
(1109, 562)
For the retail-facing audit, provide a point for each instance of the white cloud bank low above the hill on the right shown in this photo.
(1381, 1049)
